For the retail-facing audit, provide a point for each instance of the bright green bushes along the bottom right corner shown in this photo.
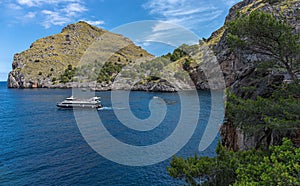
(278, 165)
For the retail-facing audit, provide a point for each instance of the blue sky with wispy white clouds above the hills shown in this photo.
(24, 21)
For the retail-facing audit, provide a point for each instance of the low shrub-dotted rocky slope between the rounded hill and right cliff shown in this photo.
(169, 72)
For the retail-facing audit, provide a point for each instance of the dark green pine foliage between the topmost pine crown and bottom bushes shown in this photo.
(280, 112)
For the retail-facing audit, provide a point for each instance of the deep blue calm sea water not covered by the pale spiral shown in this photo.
(40, 144)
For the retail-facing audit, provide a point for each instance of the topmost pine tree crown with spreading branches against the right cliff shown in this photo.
(264, 34)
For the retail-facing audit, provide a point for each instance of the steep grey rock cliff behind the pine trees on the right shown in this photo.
(239, 71)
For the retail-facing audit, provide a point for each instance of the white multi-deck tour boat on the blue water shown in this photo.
(72, 102)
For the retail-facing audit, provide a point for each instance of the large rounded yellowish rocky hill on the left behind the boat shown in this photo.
(42, 65)
